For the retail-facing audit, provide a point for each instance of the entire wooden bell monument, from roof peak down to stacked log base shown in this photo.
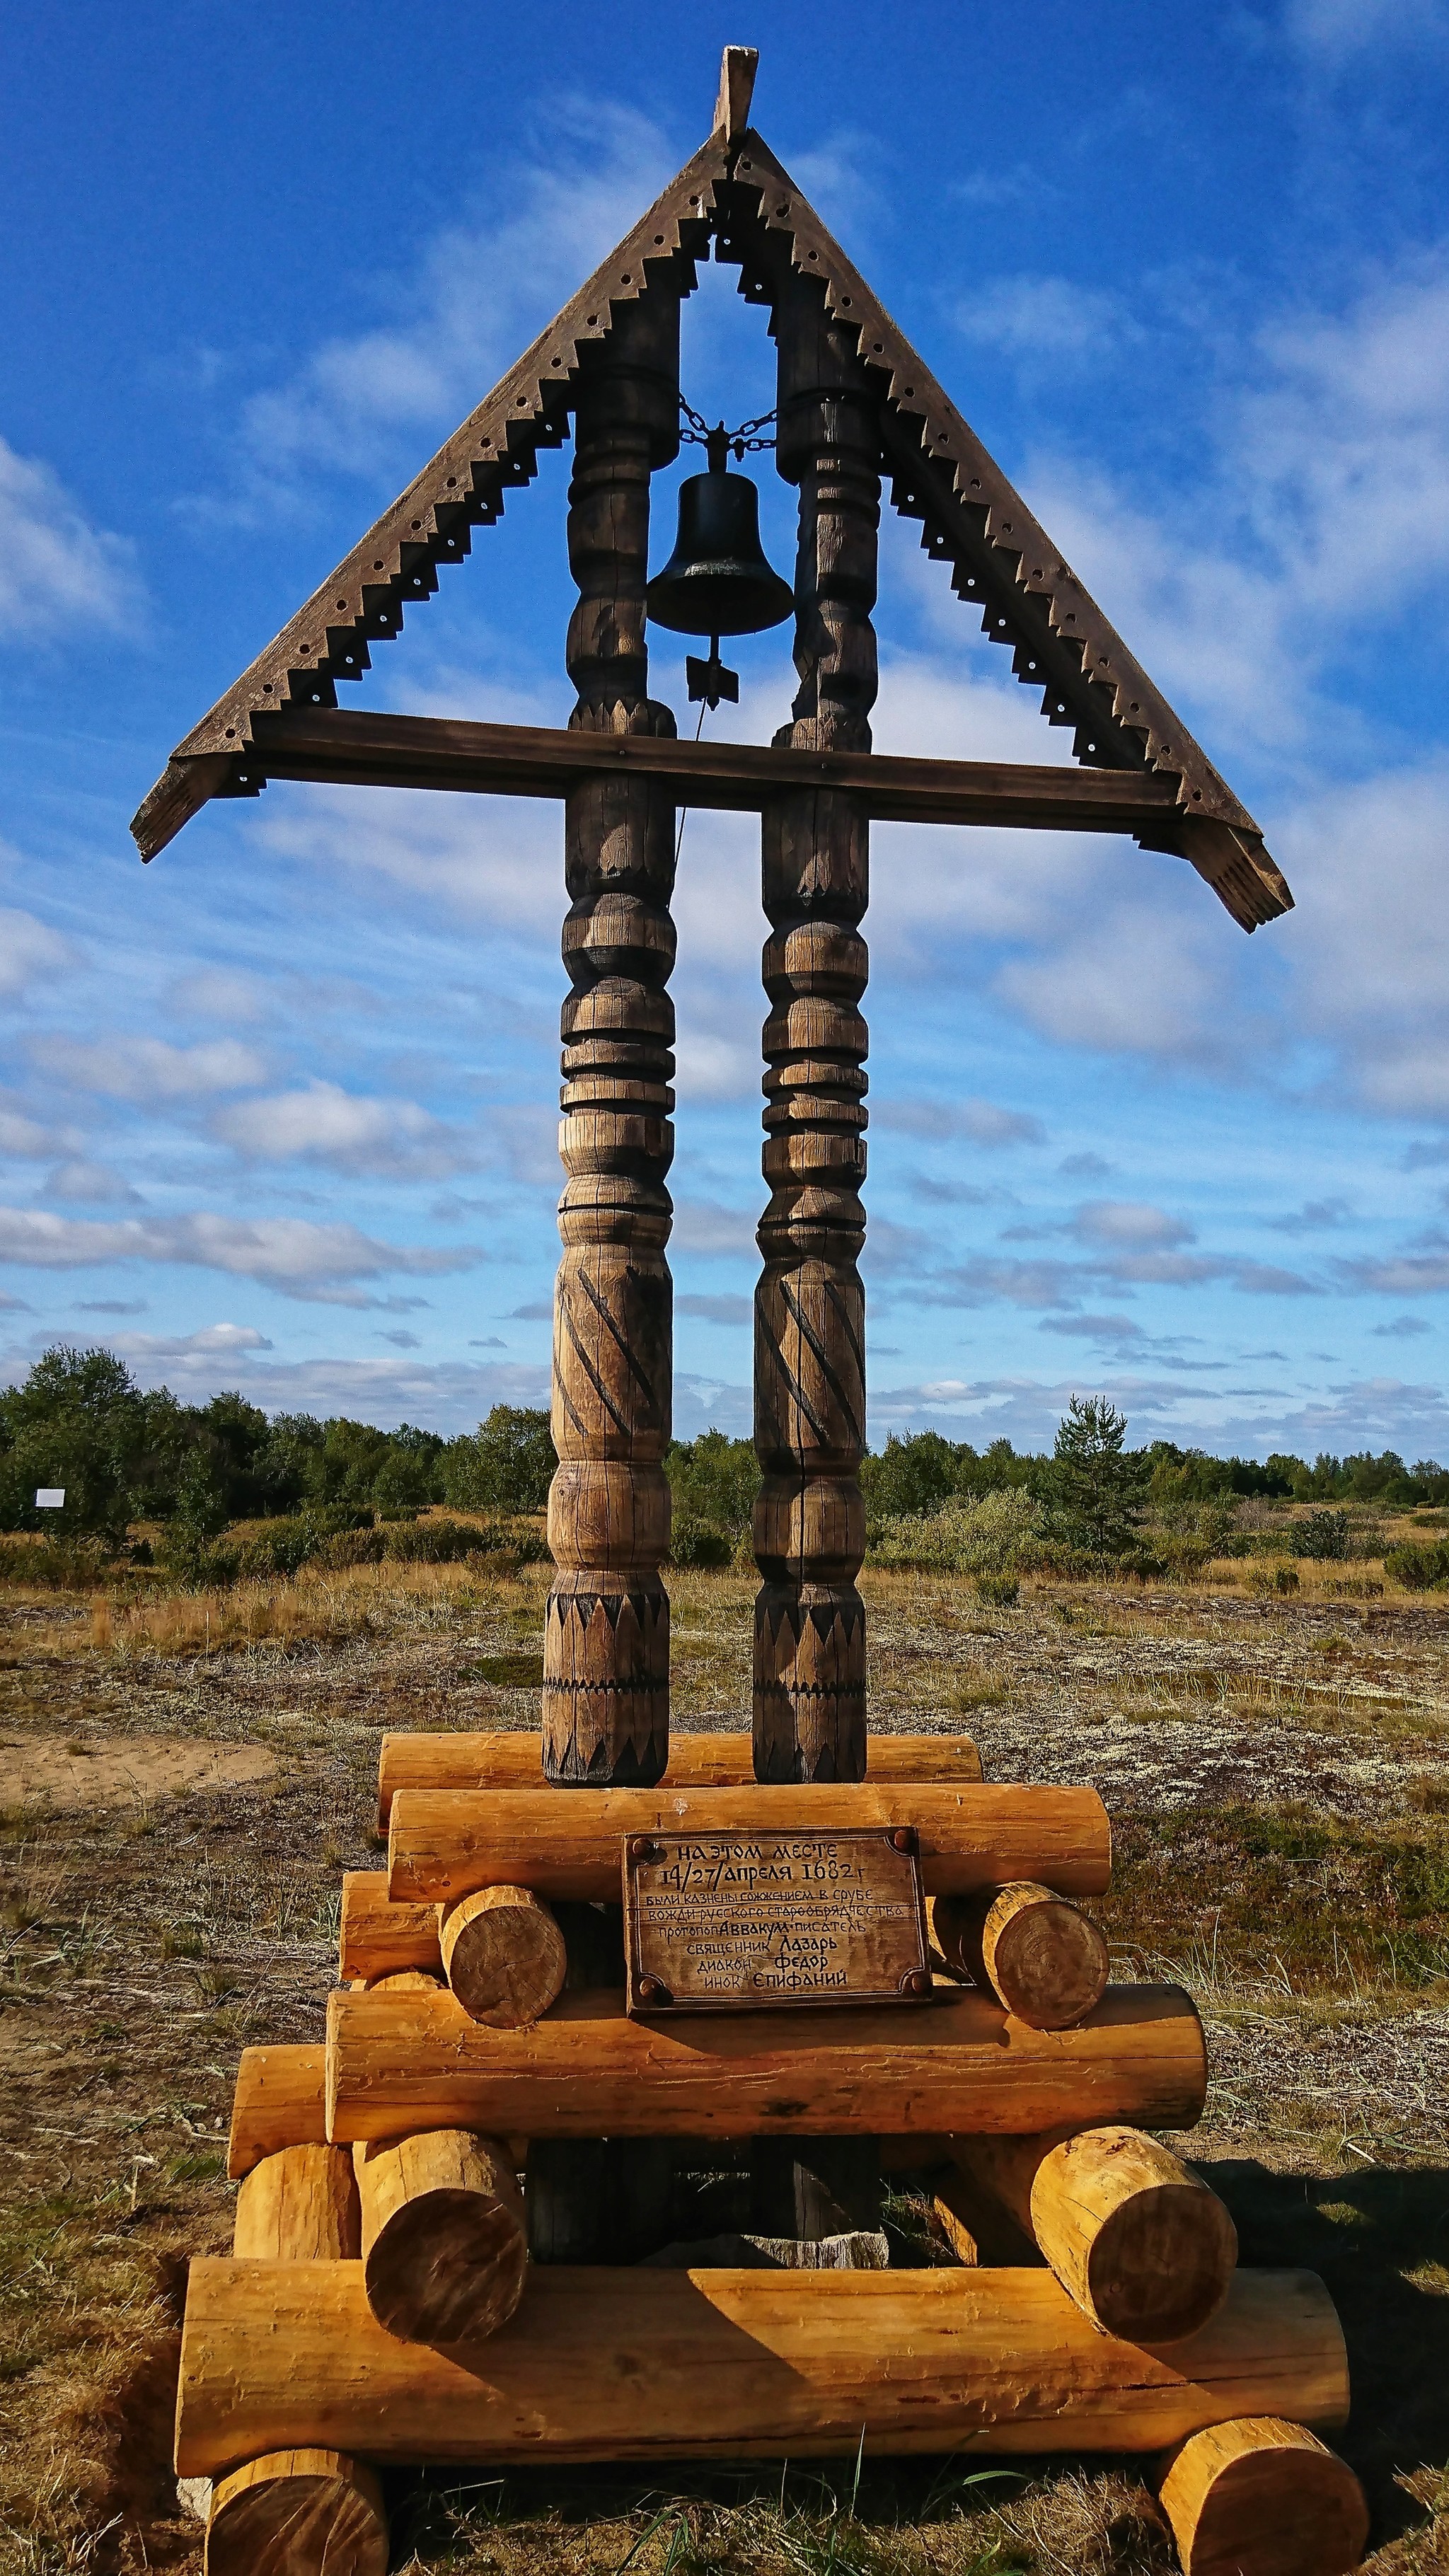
(535, 2201)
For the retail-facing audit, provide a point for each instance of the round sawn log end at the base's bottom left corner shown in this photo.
(298, 2513)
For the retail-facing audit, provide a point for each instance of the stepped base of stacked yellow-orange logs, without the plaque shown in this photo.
(460, 2230)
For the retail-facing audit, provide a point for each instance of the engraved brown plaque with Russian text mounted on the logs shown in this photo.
(744, 1923)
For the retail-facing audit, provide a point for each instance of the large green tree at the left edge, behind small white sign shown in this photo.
(76, 1423)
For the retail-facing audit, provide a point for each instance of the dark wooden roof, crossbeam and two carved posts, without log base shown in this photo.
(855, 406)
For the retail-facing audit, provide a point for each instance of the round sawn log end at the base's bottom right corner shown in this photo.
(1262, 2497)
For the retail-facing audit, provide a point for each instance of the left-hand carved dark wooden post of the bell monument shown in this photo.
(607, 1629)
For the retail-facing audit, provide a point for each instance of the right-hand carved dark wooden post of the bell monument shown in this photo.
(811, 1367)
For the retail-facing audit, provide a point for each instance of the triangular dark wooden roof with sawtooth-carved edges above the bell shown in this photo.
(739, 197)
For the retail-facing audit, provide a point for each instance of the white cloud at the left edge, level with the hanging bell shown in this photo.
(58, 573)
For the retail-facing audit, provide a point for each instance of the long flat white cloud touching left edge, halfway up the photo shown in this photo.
(285, 1253)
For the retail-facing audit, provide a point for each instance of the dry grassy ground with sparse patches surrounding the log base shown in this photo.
(184, 1781)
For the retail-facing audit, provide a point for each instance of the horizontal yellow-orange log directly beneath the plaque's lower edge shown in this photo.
(589, 2072)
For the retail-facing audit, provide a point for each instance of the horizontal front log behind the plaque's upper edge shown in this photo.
(447, 1843)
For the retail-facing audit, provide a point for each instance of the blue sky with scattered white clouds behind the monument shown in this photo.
(280, 1109)
